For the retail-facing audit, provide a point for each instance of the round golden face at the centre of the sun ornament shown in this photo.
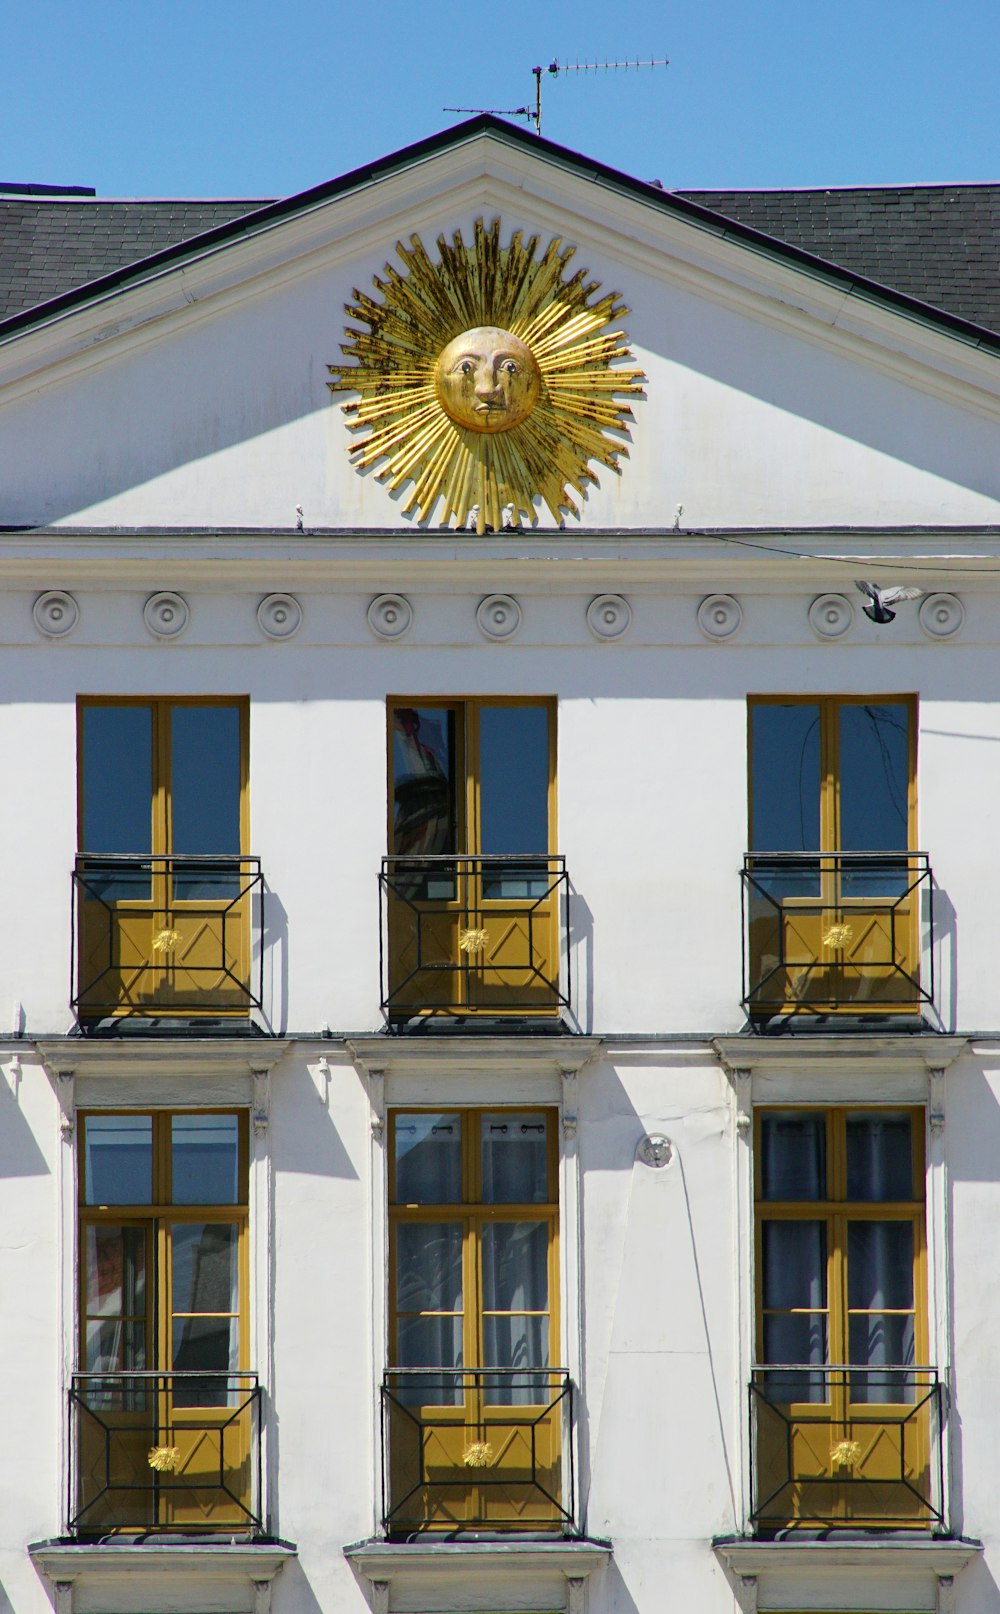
(488, 380)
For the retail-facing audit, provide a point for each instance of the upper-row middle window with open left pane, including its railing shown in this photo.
(475, 897)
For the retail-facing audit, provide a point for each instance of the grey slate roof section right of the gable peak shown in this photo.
(940, 245)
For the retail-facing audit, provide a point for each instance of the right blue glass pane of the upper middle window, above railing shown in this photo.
(514, 779)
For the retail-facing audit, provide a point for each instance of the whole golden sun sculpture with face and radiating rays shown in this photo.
(486, 378)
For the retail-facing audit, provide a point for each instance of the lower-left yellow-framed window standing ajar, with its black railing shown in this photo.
(164, 1411)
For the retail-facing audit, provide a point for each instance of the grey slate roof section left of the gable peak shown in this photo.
(54, 246)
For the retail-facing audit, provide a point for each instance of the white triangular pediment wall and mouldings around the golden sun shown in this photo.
(193, 390)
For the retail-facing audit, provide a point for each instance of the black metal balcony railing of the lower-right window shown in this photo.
(846, 1447)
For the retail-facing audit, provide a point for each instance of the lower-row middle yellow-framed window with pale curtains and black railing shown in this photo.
(477, 1416)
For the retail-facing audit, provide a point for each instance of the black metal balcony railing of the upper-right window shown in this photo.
(838, 932)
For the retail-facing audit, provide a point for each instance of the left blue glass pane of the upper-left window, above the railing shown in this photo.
(119, 779)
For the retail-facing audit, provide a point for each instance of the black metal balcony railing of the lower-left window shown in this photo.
(165, 1452)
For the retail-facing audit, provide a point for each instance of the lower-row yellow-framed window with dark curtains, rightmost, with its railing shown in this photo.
(846, 1411)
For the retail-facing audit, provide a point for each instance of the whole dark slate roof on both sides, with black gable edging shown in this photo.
(931, 253)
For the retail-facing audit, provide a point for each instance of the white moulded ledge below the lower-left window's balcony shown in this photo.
(227, 1578)
